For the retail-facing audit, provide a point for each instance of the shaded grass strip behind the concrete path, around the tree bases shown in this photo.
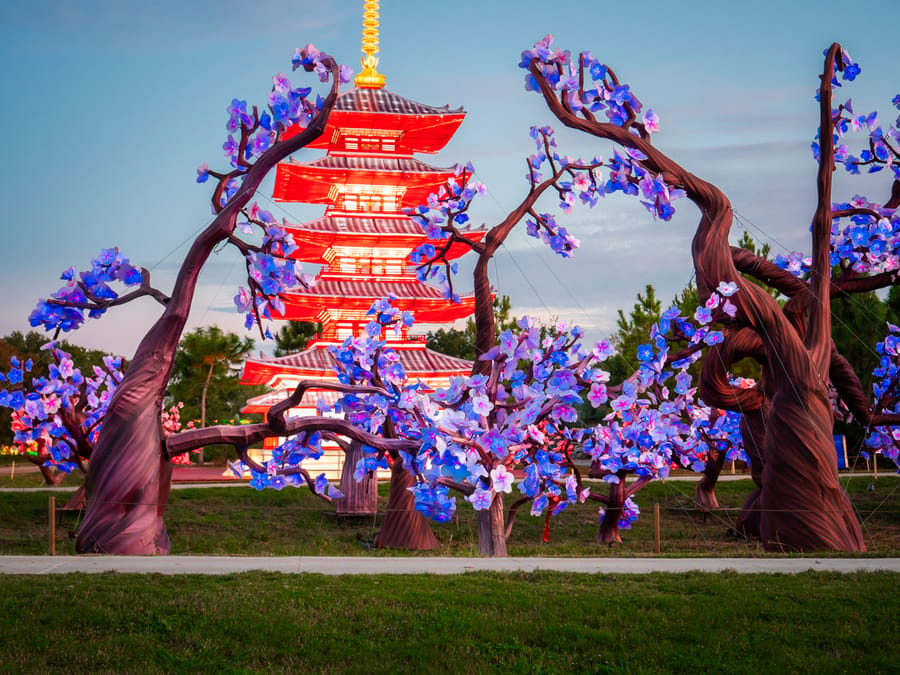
(242, 521)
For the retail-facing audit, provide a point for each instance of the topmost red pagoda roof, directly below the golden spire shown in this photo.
(419, 127)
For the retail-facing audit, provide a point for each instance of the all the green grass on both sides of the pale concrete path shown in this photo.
(483, 622)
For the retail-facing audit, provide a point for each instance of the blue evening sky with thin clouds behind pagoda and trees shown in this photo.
(109, 107)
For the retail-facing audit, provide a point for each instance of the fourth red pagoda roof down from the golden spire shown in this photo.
(342, 293)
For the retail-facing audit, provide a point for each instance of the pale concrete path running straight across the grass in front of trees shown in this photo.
(437, 565)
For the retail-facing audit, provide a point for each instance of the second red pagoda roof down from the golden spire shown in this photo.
(312, 182)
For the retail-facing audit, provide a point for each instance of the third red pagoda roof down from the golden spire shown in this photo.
(316, 237)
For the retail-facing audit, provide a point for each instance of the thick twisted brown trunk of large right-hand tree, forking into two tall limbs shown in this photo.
(803, 506)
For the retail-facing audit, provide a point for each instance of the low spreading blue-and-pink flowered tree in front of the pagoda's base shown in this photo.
(467, 438)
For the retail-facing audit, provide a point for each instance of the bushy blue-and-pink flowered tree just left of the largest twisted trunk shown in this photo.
(658, 421)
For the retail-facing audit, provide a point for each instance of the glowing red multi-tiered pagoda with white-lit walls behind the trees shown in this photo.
(363, 242)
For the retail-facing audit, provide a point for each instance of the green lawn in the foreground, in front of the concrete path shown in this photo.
(474, 623)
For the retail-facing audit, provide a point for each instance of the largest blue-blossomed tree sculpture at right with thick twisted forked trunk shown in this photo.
(788, 416)
